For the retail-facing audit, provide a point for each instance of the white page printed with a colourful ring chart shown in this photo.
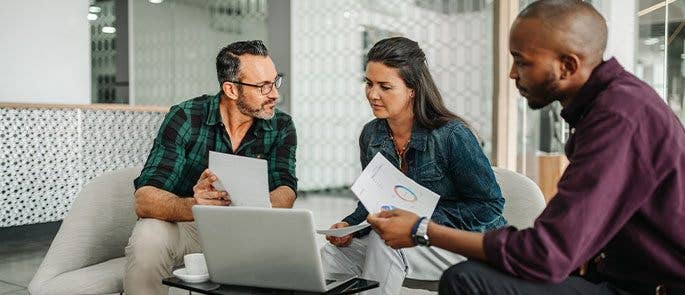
(381, 186)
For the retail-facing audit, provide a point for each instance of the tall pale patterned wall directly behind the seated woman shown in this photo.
(328, 101)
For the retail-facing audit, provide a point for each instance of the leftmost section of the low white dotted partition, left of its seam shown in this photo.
(41, 162)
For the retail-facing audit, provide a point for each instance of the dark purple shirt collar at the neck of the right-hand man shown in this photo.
(598, 81)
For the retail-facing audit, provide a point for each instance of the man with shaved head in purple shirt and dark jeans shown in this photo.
(621, 202)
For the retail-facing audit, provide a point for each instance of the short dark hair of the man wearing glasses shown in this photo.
(228, 63)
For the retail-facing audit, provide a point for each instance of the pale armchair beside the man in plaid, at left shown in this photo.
(87, 254)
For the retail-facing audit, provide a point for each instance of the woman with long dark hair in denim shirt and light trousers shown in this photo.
(431, 145)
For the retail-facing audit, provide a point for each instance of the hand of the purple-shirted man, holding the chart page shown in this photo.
(394, 227)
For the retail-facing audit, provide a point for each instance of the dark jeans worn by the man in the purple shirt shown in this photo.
(472, 277)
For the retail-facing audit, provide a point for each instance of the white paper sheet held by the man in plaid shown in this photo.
(244, 178)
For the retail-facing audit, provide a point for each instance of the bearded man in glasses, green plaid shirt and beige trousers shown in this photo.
(241, 119)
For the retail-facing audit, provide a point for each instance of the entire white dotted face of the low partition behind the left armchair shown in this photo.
(47, 155)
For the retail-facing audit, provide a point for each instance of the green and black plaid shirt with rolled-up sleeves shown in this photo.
(193, 128)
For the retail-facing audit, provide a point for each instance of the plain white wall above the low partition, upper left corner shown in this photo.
(45, 51)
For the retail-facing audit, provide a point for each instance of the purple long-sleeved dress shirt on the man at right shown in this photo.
(622, 195)
